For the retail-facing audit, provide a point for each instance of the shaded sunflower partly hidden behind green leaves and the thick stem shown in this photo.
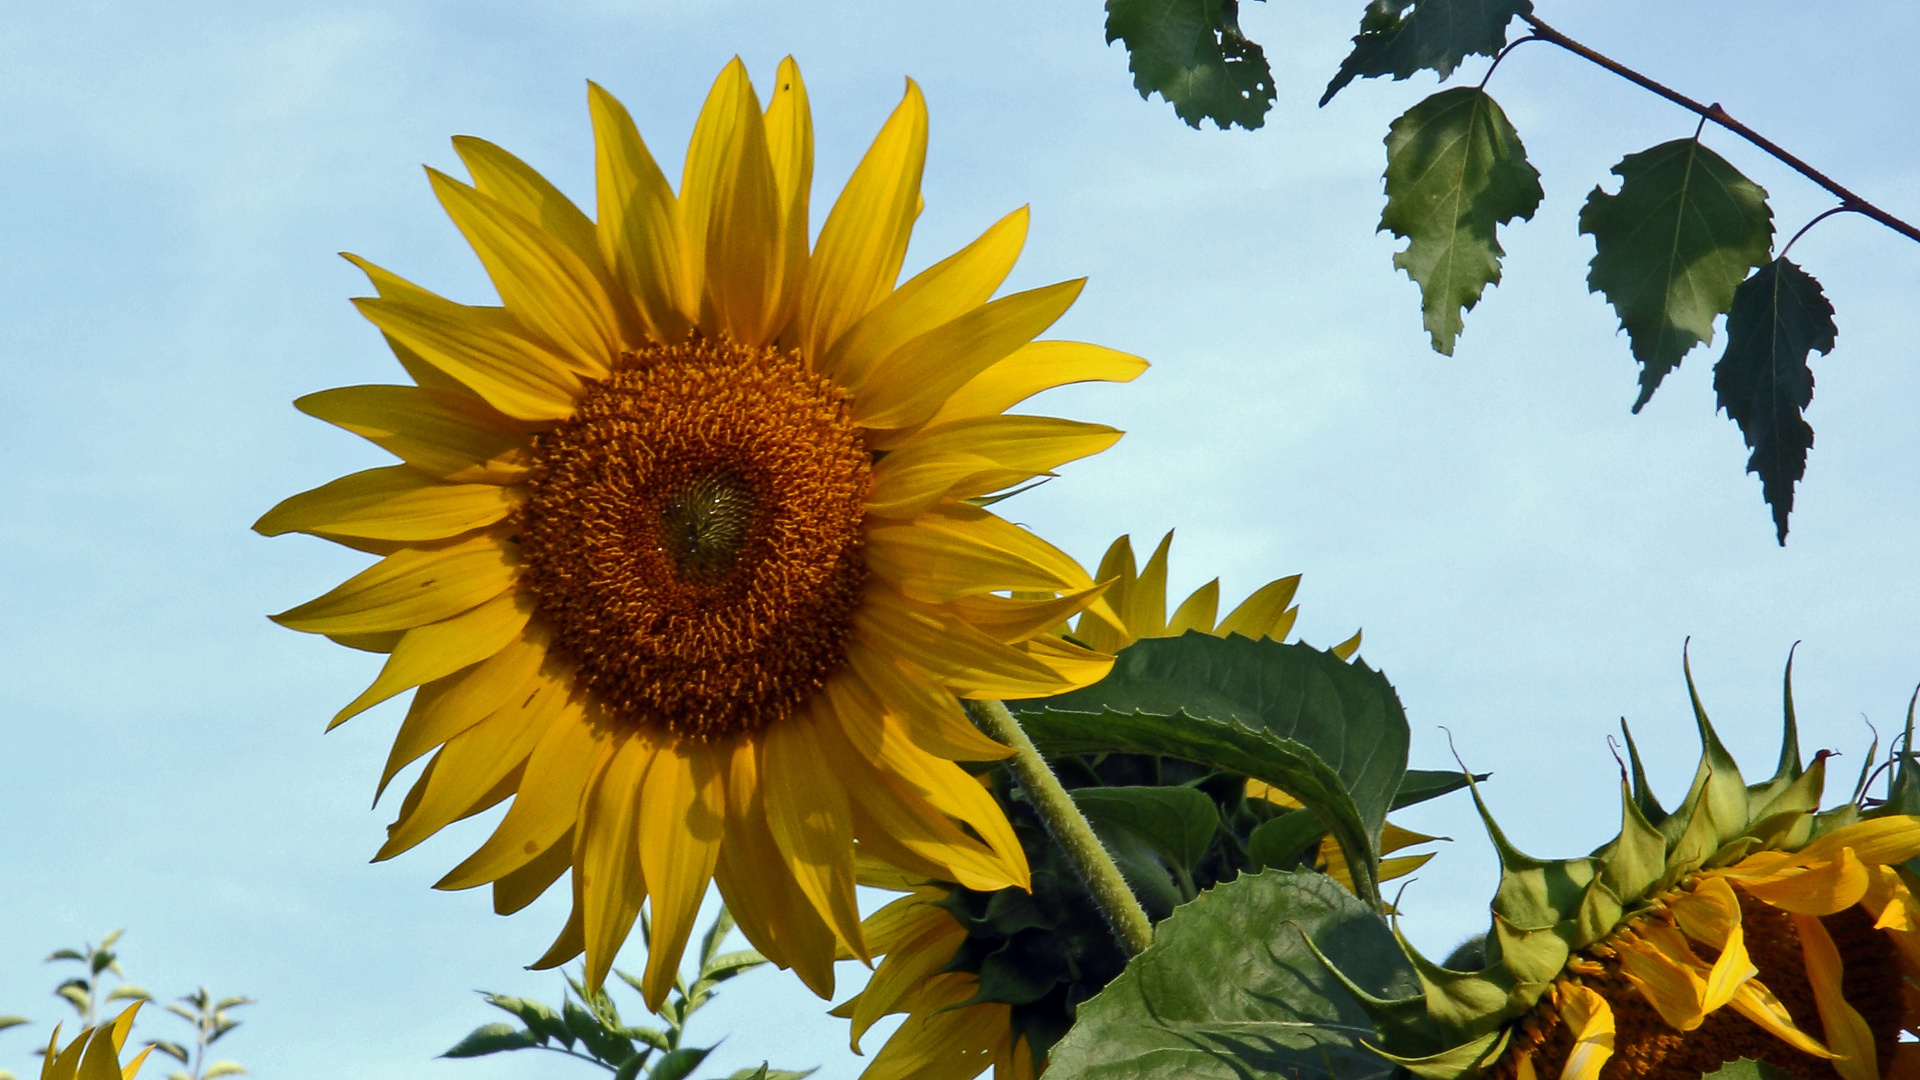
(996, 979)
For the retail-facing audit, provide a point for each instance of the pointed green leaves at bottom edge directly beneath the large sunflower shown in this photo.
(590, 1027)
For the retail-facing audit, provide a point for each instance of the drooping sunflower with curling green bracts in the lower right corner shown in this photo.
(1746, 925)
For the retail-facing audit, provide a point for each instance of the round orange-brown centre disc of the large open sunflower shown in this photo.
(694, 537)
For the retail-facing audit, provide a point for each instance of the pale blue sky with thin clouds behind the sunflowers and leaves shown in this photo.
(1524, 554)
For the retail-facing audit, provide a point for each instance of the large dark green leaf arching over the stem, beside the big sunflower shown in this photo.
(1326, 731)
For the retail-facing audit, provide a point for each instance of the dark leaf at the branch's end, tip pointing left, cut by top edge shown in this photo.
(1401, 37)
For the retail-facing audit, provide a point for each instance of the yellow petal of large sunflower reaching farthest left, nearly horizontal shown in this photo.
(391, 504)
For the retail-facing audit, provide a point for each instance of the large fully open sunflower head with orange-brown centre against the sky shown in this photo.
(686, 552)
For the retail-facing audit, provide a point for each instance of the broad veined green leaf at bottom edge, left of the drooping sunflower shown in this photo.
(1230, 991)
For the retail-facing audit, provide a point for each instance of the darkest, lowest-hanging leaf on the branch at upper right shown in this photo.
(1764, 380)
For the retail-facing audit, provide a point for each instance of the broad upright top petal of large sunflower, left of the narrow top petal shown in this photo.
(744, 228)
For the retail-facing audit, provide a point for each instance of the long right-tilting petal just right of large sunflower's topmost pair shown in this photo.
(865, 237)
